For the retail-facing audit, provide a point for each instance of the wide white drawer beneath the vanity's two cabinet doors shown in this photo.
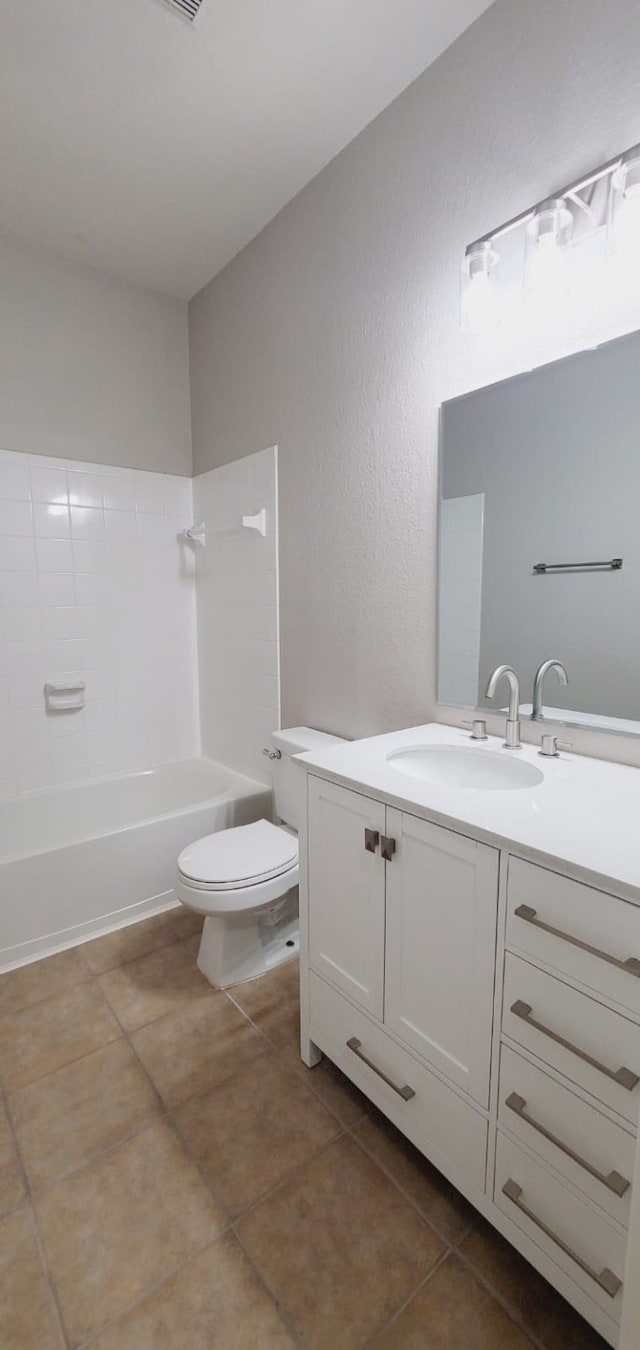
(444, 1127)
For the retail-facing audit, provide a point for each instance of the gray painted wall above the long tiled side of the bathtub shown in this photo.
(91, 368)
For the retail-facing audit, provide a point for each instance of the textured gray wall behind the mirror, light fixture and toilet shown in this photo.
(336, 335)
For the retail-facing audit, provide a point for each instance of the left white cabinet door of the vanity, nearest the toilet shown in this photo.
(346, 893)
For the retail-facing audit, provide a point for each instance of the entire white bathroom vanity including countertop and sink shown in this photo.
(471, 959)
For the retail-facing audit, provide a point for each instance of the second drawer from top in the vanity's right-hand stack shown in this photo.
(585, 1042)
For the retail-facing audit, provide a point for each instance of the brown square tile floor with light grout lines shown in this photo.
(172, 1178)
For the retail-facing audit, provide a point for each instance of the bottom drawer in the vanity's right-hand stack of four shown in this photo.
(573, 1235)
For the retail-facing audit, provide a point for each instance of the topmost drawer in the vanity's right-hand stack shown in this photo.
(580, 932)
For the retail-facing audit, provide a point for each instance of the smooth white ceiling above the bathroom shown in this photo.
(157, 149)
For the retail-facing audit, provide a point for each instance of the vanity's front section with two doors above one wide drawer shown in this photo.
(402, 923)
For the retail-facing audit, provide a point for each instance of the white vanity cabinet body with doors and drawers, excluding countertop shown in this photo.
(491, 1008)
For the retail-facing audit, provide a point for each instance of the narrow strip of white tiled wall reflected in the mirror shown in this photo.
(462, 523)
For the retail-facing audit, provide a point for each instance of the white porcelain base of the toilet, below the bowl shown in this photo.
(242, 946)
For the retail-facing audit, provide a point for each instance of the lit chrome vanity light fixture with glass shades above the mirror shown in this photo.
(603, 203)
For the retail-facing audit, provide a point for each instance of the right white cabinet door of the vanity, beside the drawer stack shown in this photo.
(442, 898)
